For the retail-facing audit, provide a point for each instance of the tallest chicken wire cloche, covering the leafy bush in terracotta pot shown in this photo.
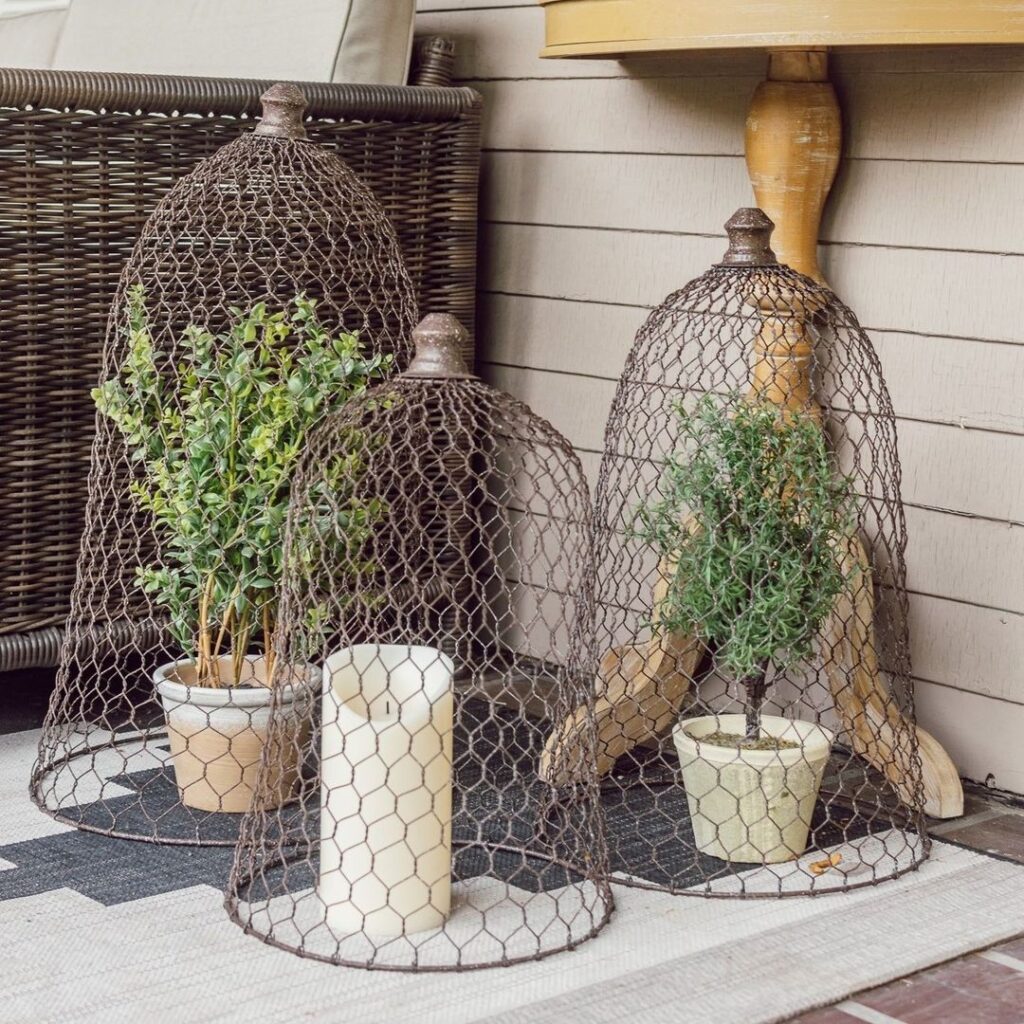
(266, 290)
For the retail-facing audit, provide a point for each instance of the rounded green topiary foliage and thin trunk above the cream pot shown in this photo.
(751, 519)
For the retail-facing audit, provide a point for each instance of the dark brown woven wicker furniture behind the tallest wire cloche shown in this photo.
(83, 160)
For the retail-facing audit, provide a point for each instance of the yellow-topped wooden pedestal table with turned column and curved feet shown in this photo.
(794, 134)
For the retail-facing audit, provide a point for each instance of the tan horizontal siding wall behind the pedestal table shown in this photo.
(606, 188)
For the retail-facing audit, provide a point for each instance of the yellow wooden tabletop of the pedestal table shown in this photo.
(621, 28)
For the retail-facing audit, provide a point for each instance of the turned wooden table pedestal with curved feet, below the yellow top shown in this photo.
(794, 134)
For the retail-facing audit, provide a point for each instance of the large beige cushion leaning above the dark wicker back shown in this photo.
(312, 40)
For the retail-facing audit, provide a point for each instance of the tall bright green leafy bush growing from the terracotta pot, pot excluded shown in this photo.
(217, 439)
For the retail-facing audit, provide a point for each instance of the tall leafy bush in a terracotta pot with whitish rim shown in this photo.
(216, 444)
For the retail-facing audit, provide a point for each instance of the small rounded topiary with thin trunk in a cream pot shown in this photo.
(751, 521)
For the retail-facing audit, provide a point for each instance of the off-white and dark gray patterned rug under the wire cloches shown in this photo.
(103, 931)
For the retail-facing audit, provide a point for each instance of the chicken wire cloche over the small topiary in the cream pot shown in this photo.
(755, 717)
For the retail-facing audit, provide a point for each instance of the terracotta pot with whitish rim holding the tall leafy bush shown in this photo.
(218, 736)
